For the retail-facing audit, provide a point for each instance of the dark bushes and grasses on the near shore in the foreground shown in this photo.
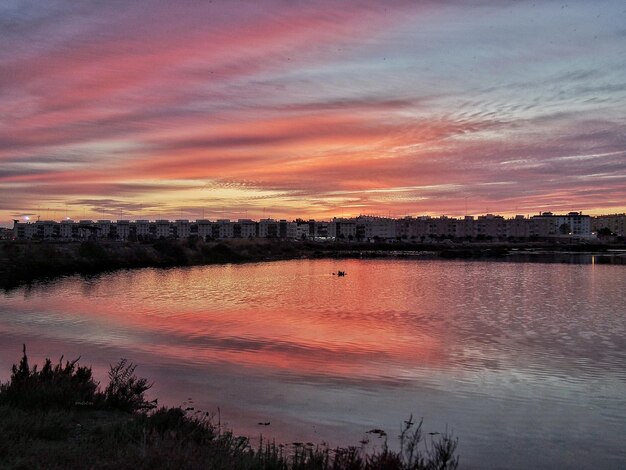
(58, 417)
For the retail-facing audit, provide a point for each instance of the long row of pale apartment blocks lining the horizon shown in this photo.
(362, 228)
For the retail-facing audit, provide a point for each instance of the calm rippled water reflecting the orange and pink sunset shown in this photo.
(525, 363)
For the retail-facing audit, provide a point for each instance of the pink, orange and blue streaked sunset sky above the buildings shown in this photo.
(312, 109)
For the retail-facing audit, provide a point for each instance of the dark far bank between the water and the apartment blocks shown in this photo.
(24, 261)
